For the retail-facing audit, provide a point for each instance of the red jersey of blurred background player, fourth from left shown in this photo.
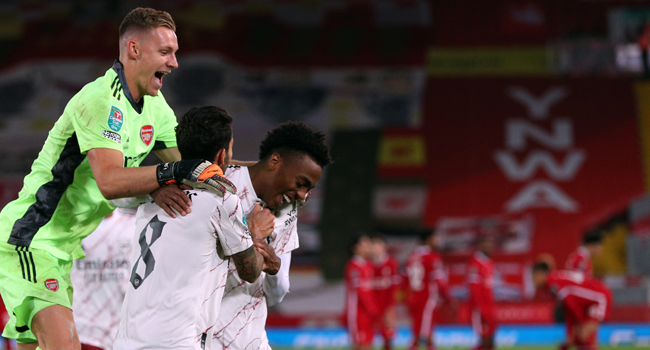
(480, 277)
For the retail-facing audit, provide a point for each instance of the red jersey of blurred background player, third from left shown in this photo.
(425, 276)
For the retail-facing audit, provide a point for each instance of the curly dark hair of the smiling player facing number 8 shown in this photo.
(297, 138)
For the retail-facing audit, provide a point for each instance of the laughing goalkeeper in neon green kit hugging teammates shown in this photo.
(92, 155)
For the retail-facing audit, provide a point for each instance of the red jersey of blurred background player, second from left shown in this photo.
(386, 278)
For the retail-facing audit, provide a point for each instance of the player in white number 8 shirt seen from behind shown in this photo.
(181, 265)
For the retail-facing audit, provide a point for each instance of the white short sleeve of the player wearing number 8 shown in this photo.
(228, 221)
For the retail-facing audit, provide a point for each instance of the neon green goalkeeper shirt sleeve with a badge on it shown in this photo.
(97, 124)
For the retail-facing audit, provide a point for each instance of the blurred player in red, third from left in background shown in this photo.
(427, 282)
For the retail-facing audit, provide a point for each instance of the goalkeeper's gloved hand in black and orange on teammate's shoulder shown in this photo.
(196, 173)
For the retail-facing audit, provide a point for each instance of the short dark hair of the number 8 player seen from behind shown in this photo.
(203, 131)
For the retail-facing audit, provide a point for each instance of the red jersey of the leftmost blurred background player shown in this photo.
(358, 285)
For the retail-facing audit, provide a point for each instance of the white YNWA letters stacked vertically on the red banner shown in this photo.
(536, 192)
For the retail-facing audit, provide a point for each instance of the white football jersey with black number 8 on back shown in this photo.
(179, 273)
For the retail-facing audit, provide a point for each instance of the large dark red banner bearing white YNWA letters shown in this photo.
(565, 151)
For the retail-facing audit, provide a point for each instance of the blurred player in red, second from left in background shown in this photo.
(386, 280)
